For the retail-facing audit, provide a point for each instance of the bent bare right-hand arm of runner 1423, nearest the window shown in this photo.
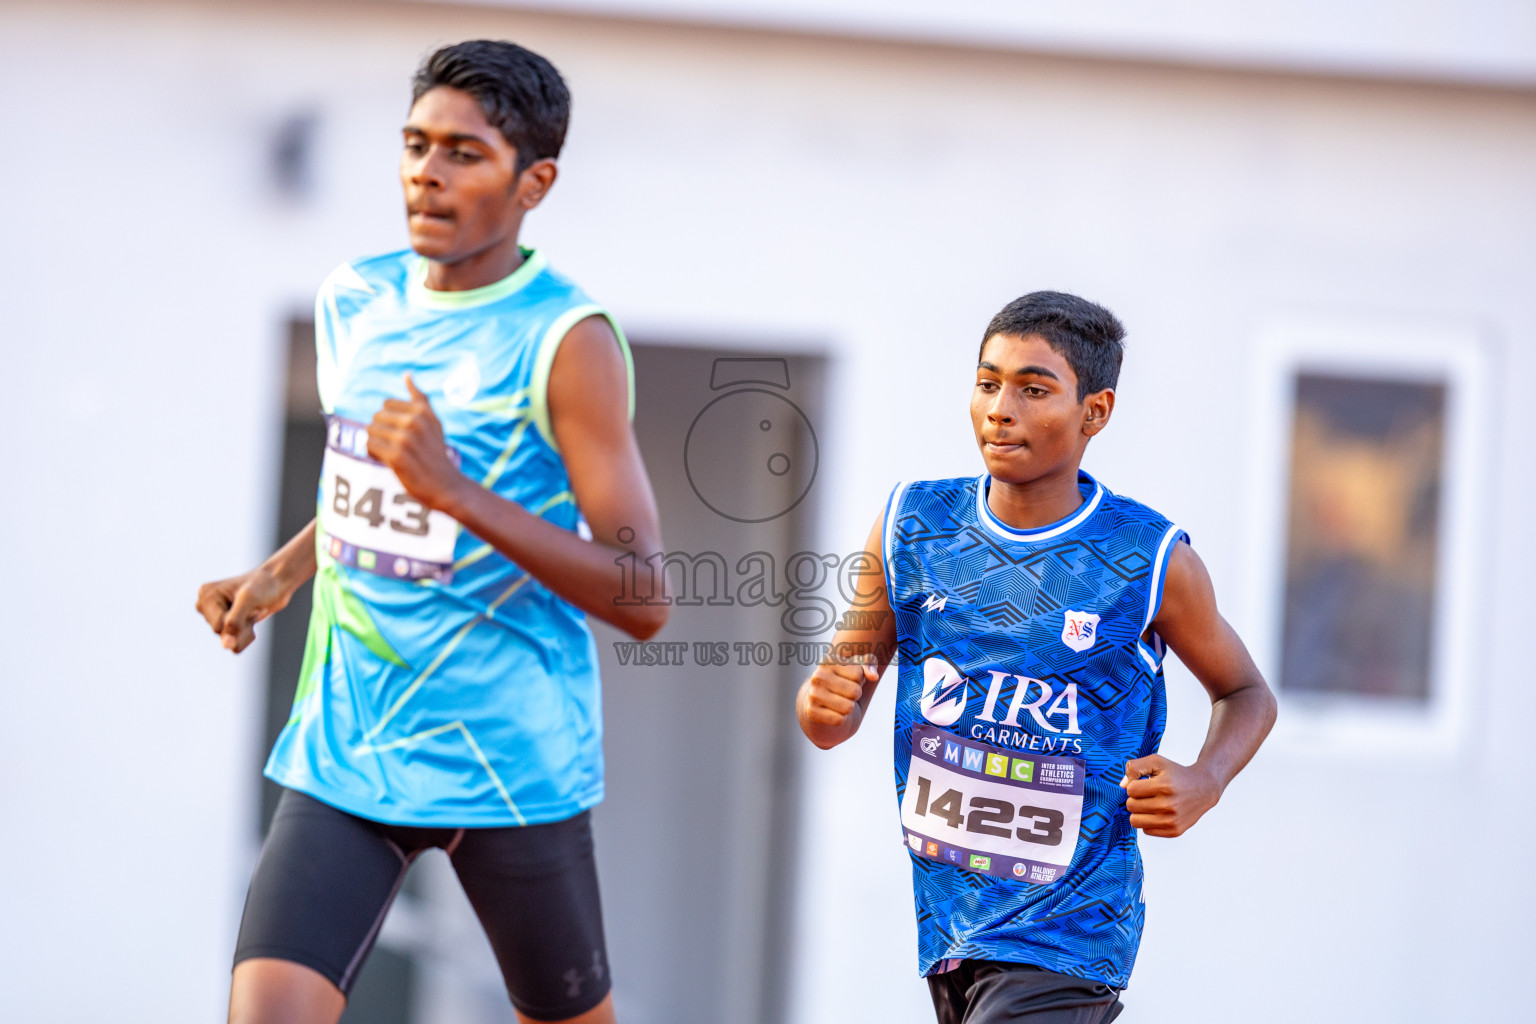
(1162, 796)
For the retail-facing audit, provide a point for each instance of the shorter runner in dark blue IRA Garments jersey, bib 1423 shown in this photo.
(1028, 610)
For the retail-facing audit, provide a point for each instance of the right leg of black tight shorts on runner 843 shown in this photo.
(535, 890)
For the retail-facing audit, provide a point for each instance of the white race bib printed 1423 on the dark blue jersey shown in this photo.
(991, 810)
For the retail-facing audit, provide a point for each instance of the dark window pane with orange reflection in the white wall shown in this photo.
(1362, 543)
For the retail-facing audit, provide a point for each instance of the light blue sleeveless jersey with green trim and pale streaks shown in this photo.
(468, 698)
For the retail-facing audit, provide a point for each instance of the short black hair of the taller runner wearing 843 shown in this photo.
(520, 93)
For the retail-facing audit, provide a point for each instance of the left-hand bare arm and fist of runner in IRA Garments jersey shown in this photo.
(833, 701)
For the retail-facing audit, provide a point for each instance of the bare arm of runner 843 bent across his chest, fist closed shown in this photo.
(589, 397)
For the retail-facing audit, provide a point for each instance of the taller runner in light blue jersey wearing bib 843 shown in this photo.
(480, 492)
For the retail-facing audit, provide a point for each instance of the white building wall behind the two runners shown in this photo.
(875, 200)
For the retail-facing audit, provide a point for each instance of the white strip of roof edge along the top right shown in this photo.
(1472, 41)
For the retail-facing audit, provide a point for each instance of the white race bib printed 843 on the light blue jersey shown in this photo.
(368, 518)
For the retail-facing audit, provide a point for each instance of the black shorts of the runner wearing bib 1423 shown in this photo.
(991, 993)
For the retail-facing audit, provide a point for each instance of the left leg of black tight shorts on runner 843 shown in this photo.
(320, 891)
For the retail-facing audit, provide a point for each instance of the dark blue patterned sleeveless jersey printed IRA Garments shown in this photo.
(1024, 689)
